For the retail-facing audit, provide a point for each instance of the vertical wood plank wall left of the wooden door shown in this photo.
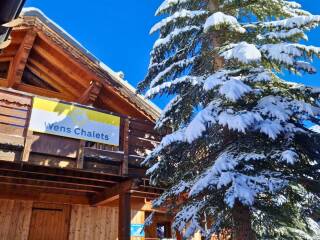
(15, 219)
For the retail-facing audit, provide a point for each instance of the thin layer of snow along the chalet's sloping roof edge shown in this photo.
(129, 90)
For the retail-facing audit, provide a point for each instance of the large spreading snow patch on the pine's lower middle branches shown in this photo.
(223, 173)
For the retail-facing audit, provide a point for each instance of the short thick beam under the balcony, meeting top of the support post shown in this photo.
(111, 194)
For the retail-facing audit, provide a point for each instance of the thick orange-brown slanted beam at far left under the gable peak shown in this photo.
(20, 60)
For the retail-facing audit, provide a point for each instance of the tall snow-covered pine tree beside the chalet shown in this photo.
(239, 157)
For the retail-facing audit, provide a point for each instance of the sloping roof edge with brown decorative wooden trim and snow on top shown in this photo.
(35, 18)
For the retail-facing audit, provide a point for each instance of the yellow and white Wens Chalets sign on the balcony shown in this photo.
(68, 120)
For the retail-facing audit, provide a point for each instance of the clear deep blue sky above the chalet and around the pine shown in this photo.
(117, 32)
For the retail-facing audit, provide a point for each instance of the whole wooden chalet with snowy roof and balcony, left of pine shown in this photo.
(59, 187)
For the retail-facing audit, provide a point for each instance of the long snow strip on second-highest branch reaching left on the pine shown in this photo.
(175, 17)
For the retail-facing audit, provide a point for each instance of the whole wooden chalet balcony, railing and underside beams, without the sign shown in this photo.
(49, 164)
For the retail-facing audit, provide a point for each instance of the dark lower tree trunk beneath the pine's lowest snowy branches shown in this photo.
(242, 229)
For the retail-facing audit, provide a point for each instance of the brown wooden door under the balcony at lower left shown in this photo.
(49, 222)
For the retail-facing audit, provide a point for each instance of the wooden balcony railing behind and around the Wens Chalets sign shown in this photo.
(17, 143)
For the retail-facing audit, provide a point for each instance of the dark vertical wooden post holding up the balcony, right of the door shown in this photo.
(124, 216)
